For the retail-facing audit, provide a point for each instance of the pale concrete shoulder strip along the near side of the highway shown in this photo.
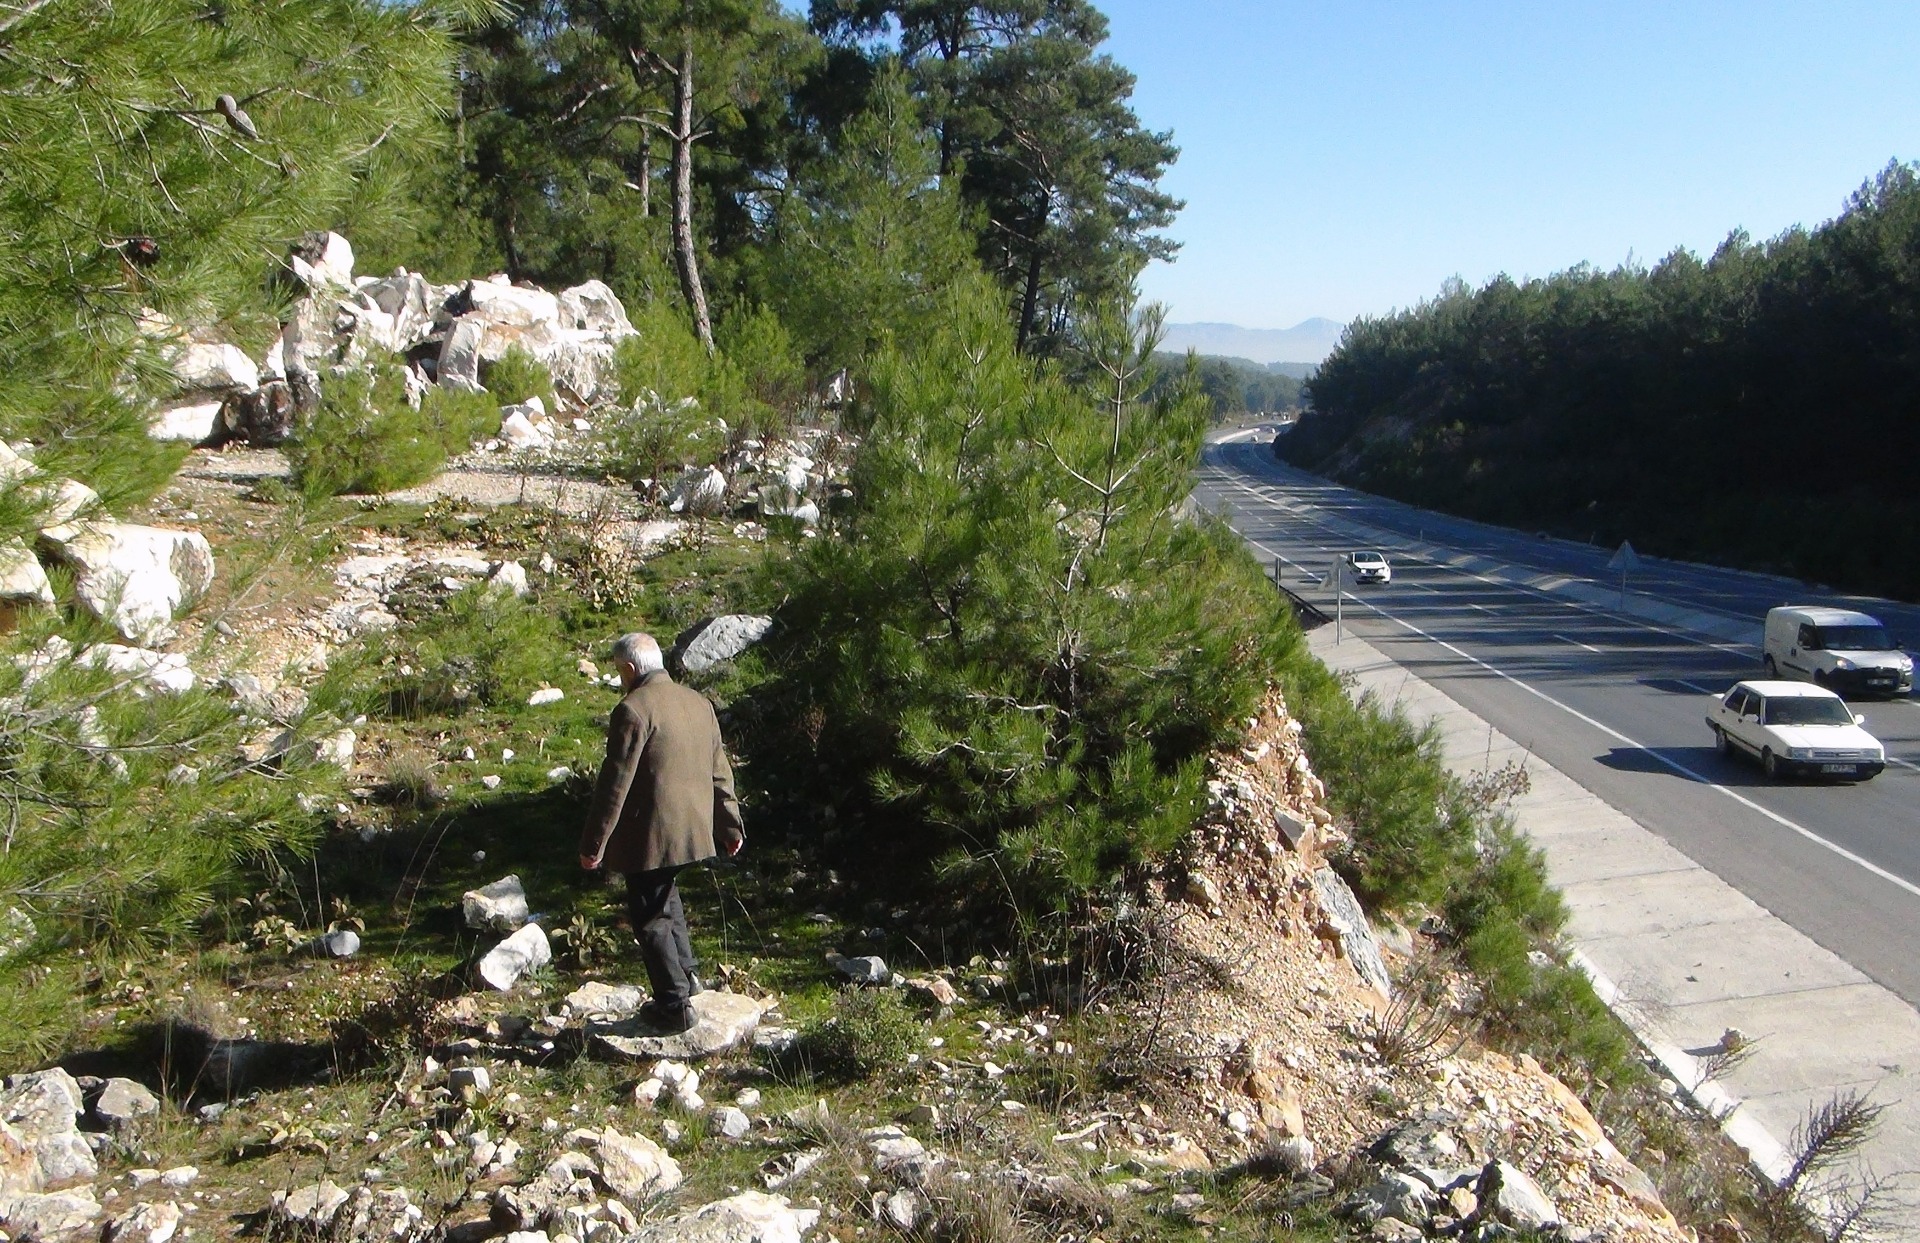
(1681, 956)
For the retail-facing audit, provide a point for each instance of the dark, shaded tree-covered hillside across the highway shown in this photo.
(1758, 408)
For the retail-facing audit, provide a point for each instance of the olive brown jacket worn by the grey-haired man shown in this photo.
(665, 794)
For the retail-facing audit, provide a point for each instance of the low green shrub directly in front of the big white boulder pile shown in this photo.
(366, 437)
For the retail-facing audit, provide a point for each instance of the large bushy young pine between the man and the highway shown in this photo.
(1017, 670)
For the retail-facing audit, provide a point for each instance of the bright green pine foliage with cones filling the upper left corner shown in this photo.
(160, 155)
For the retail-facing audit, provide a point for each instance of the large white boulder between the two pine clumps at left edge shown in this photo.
(139, 577)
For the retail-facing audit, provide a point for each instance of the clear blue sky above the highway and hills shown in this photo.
(1347, 157)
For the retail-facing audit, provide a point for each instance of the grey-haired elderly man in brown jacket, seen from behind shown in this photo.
(663, 802)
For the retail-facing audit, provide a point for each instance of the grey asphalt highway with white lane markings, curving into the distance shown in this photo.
(1616, 702)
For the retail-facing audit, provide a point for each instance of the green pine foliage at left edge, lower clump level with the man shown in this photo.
(114, 846)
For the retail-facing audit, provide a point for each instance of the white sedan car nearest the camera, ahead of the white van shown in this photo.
(1796, 731)
